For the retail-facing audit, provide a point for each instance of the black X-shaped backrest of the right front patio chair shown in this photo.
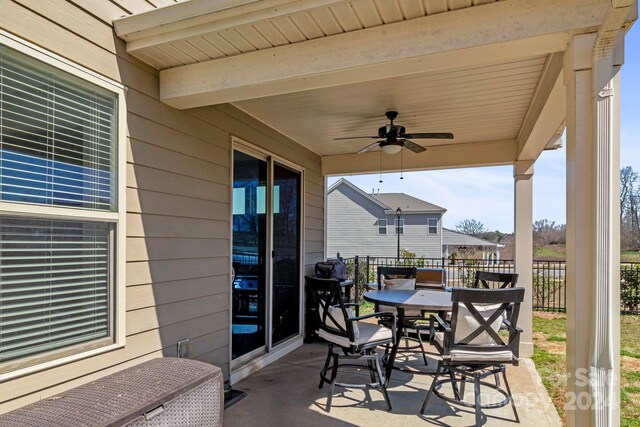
(504, 304)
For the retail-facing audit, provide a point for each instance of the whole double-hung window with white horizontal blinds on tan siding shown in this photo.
(60, 223)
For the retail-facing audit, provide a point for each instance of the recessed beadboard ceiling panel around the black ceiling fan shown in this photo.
(475, 104)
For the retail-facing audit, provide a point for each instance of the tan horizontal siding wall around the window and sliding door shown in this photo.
(177, 199)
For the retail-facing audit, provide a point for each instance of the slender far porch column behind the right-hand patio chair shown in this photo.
(523, 257)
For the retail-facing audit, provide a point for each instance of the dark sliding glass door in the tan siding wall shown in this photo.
(266, 220)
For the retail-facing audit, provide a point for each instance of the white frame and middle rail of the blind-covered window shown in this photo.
(117, 309)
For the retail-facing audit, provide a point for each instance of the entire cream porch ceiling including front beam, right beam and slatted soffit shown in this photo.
(489, 71)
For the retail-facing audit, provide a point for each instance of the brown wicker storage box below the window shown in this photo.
(160, 392)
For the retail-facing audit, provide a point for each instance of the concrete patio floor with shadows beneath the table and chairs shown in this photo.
(286, 393)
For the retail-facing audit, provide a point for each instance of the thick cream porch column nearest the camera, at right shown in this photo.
(593, 230)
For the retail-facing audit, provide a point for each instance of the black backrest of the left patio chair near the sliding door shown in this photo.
(327, 293)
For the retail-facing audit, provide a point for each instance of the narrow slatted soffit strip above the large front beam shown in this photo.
(231, 37)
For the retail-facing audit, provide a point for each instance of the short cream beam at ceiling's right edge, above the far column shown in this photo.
(546, 113)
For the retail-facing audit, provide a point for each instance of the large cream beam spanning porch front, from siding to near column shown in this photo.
(461, 38)
